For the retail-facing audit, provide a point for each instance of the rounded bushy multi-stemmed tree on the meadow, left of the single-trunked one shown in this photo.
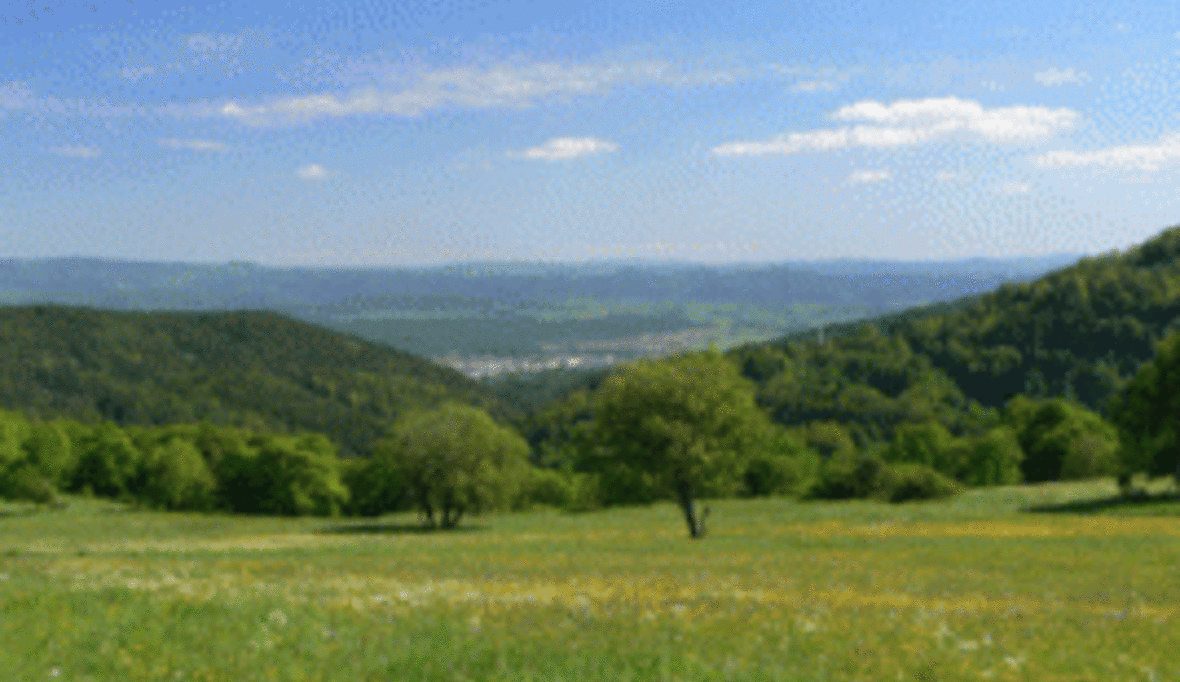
(454, 461)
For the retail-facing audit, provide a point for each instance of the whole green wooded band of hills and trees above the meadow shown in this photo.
(257, 412)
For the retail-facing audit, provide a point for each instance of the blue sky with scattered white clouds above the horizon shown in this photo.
(370, 134)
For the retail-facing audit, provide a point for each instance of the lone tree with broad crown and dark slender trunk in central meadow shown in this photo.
(687, 423)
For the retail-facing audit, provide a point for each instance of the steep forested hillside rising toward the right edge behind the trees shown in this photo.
(1080, 333)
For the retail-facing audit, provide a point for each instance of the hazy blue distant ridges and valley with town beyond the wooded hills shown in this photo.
(495, 317)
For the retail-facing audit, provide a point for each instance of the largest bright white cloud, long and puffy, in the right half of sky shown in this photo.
(914, 122)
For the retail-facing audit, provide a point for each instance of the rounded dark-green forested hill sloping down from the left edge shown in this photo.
(255, 370)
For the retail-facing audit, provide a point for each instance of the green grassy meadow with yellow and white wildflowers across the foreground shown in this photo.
(978, 588)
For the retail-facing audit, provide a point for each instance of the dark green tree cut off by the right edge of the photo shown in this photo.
(1146, 415)
